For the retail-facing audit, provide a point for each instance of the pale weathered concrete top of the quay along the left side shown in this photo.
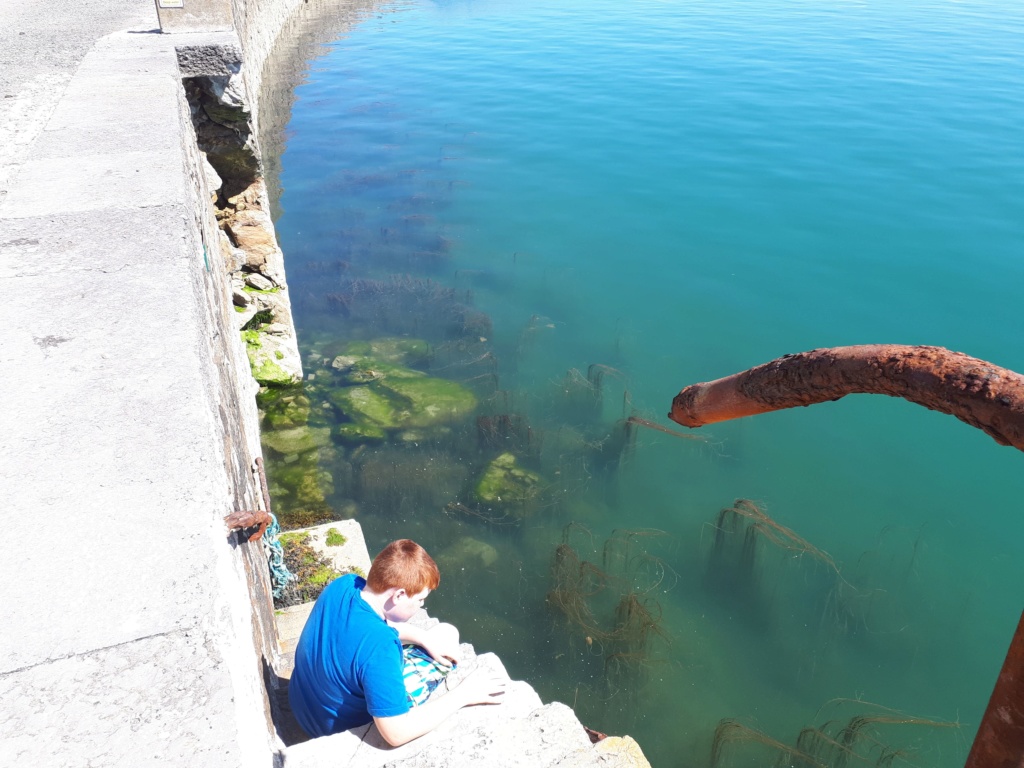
(129, 431)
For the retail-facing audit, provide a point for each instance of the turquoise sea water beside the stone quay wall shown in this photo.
(679, 191)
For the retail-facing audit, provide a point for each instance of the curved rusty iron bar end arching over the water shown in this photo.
(977, 393)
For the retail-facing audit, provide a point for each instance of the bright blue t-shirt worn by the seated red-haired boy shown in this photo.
(349, 665)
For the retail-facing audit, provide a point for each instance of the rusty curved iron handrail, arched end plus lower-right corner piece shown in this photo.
(977, 393)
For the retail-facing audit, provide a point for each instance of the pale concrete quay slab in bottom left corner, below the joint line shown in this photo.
(124, 707)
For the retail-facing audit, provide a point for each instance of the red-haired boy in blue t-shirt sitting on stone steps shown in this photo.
(351, 667)
